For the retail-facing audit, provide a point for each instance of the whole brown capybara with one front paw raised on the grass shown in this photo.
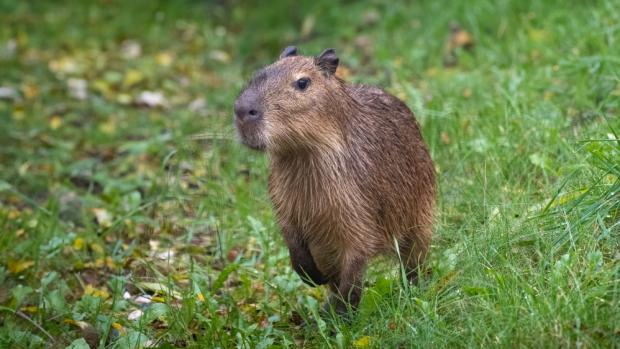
(350, 177)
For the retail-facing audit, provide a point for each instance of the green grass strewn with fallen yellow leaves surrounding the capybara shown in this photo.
(94, 192)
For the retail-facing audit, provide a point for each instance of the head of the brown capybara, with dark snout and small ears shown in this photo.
(287, 105)
